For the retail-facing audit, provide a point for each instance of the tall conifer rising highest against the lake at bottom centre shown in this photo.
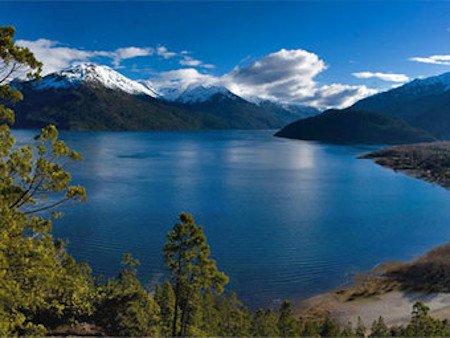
(193, 272)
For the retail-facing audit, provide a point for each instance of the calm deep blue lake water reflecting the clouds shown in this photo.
(284, 218)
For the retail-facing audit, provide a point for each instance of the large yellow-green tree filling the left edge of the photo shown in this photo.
(40, 284)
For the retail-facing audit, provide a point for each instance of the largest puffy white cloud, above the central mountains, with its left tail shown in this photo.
(286, 75)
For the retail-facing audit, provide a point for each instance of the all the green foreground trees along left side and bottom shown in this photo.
(45, 291)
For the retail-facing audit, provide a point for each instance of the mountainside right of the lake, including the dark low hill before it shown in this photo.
(414, 112)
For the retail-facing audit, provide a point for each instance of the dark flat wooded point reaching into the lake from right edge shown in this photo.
(427, 161)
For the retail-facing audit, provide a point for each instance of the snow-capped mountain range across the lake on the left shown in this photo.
(94, 97)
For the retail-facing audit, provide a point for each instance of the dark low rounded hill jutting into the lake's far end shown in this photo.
(354, 127)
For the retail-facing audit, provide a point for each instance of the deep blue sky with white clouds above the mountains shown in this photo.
(325, 54)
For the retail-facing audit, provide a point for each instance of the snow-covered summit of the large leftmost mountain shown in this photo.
(90, 73)
